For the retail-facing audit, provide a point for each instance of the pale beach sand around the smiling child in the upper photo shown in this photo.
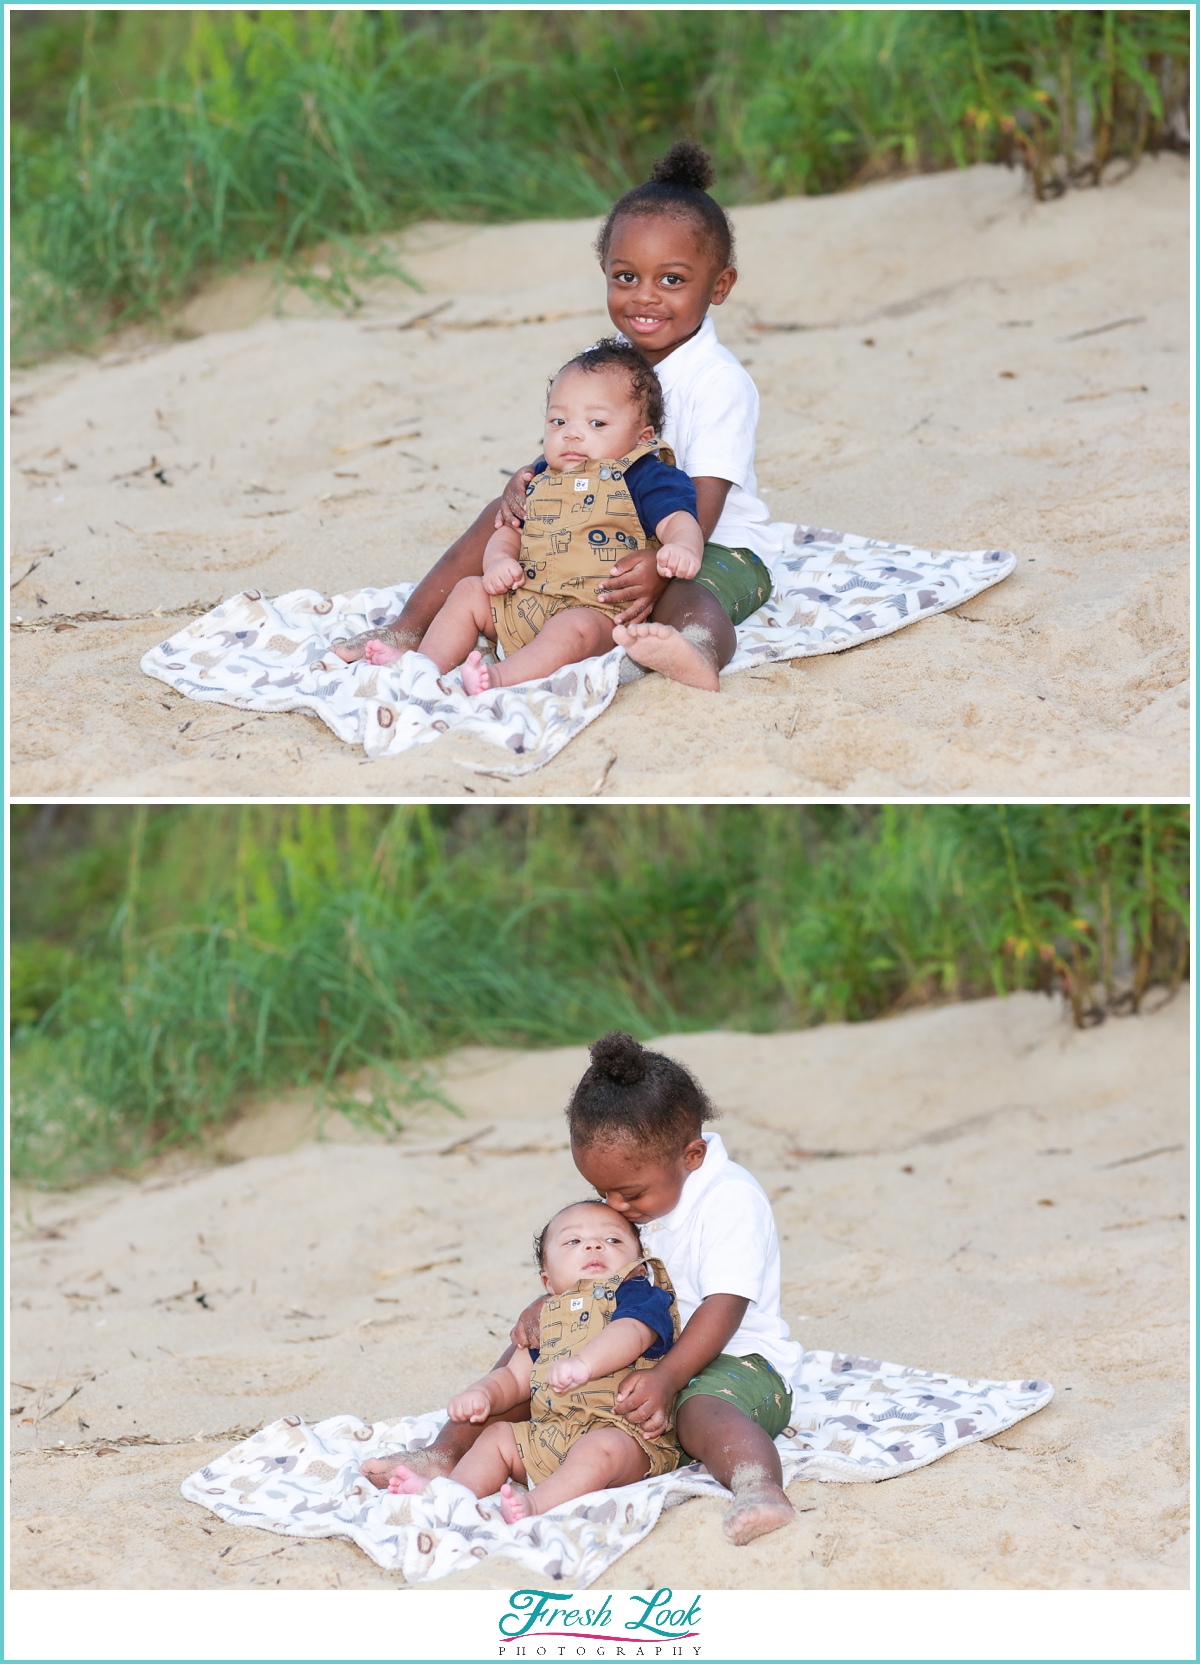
(964, 369)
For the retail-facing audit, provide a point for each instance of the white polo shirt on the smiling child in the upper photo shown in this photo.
(713, 415)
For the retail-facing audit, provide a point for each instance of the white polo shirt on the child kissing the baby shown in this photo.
(720, 1239)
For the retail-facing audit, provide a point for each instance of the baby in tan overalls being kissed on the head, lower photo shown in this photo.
(603, 1317)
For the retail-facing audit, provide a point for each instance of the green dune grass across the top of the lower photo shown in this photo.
(167, 963)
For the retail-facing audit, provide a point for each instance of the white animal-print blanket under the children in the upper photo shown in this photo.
(831, 592)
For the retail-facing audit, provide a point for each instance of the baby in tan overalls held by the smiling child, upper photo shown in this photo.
(602, 492)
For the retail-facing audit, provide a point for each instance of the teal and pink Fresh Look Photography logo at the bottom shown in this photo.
(542, 1625)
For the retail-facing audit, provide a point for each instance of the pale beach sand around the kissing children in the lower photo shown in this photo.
(1009, 1201)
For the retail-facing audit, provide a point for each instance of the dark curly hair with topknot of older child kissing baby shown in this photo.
(638, 1096)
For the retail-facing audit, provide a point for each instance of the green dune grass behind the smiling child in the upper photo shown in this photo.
(156, 149)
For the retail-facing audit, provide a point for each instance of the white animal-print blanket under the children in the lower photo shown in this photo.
(853, 1420)
